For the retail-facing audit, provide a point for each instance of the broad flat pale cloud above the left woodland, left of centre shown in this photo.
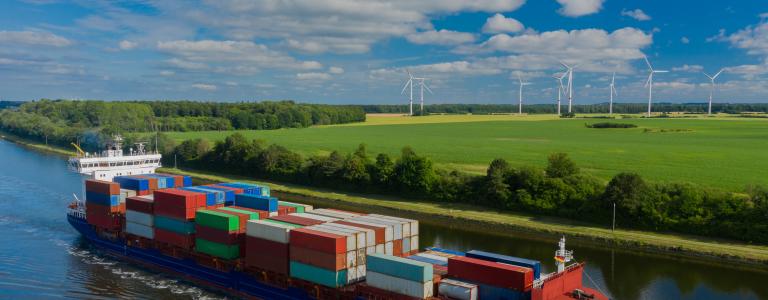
(237, 57)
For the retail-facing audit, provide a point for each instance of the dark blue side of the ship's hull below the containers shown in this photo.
(233, 282)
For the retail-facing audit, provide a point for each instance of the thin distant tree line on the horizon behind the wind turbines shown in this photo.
(618, 108)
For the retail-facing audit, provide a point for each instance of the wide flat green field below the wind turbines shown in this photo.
(722, 152)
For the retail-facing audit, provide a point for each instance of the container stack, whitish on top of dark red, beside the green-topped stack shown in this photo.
(267, 245)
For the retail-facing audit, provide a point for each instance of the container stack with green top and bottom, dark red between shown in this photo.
(219, 232)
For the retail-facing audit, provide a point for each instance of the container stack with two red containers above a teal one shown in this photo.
(320, 255)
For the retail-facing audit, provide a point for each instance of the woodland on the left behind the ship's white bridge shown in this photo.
(63, 121)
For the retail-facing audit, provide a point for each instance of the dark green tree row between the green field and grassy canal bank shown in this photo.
(560, 189)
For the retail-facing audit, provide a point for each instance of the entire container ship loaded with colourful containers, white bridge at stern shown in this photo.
(236, 238)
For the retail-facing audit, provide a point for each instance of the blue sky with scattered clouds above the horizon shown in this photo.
(358, 52)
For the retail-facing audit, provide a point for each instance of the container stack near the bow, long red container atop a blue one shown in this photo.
(494, 280)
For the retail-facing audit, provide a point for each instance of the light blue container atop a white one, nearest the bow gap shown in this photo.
(399, 267)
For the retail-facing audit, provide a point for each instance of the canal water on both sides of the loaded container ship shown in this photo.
(42, 257)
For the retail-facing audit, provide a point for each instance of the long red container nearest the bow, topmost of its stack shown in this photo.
(490, 273)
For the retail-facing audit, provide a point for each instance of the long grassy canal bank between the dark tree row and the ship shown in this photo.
(468, 215)
